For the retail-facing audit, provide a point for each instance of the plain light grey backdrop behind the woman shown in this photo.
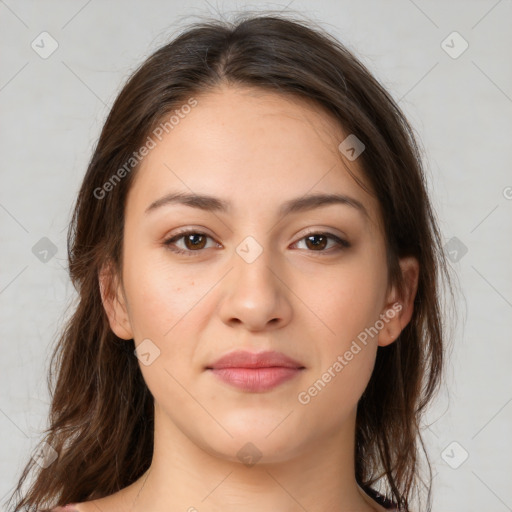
(447, 63)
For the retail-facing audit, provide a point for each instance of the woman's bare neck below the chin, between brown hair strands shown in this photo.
(184, 475)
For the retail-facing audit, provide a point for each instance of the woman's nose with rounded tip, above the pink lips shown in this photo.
(255, 295)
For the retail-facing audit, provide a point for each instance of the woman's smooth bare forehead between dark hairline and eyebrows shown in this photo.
(255, 147)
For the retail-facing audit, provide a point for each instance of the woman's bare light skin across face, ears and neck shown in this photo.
(257, 150)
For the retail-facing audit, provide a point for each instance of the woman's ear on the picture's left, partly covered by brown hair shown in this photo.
(114, 302)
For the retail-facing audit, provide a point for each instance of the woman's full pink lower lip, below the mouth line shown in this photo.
(256, 379)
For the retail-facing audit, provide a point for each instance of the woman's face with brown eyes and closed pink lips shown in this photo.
(260, 267)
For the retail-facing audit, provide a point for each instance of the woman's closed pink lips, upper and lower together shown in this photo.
(255, 372)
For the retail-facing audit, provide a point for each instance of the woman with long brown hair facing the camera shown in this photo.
(257, 262)
